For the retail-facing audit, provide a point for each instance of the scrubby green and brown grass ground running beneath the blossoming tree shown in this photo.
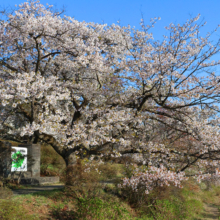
(172, 203)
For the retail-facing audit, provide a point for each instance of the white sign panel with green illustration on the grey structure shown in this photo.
(19, 159)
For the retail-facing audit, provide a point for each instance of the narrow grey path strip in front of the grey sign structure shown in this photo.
(34, 189)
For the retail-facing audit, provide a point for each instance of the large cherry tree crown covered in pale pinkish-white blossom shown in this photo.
(110, 89)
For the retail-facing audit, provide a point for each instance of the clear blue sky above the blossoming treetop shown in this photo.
(130, 11)
